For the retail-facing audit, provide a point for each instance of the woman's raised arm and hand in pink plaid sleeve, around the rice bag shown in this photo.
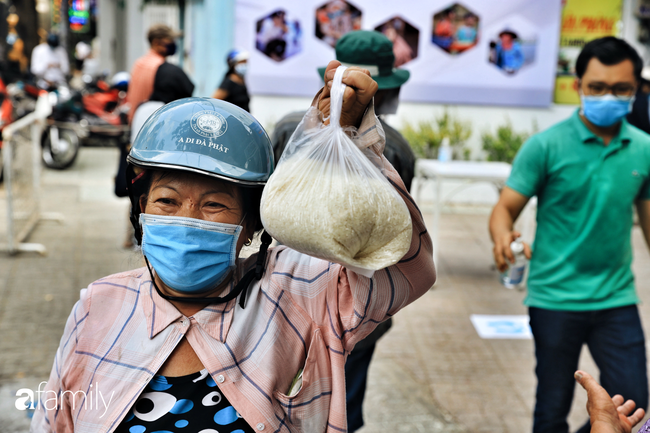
(349, 305)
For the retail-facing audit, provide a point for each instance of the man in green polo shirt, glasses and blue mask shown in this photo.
(587, 173)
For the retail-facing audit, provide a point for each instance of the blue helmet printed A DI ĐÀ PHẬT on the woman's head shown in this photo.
(201, 135)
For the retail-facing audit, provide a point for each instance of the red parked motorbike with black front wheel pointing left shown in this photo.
(95, 115)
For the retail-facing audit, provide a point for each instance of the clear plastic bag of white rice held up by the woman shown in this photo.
(328, 200)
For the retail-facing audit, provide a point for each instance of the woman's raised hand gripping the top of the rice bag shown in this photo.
(358, 93)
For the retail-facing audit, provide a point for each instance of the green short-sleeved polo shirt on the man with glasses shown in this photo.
(582, 254)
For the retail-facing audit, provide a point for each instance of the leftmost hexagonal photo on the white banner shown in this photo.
(278, 35)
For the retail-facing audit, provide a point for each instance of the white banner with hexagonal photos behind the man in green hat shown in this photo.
(469, 52)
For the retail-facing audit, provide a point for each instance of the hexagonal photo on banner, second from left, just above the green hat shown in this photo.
(336, 18)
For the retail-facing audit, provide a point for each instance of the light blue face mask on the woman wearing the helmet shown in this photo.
(190, 256)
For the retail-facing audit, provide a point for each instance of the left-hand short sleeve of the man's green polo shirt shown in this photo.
(529, 168)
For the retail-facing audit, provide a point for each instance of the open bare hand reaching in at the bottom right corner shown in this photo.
(608, 415)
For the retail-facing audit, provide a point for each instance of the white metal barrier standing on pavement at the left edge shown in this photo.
(22, 178)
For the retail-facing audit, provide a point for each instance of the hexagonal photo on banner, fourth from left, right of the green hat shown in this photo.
(455, 29)
